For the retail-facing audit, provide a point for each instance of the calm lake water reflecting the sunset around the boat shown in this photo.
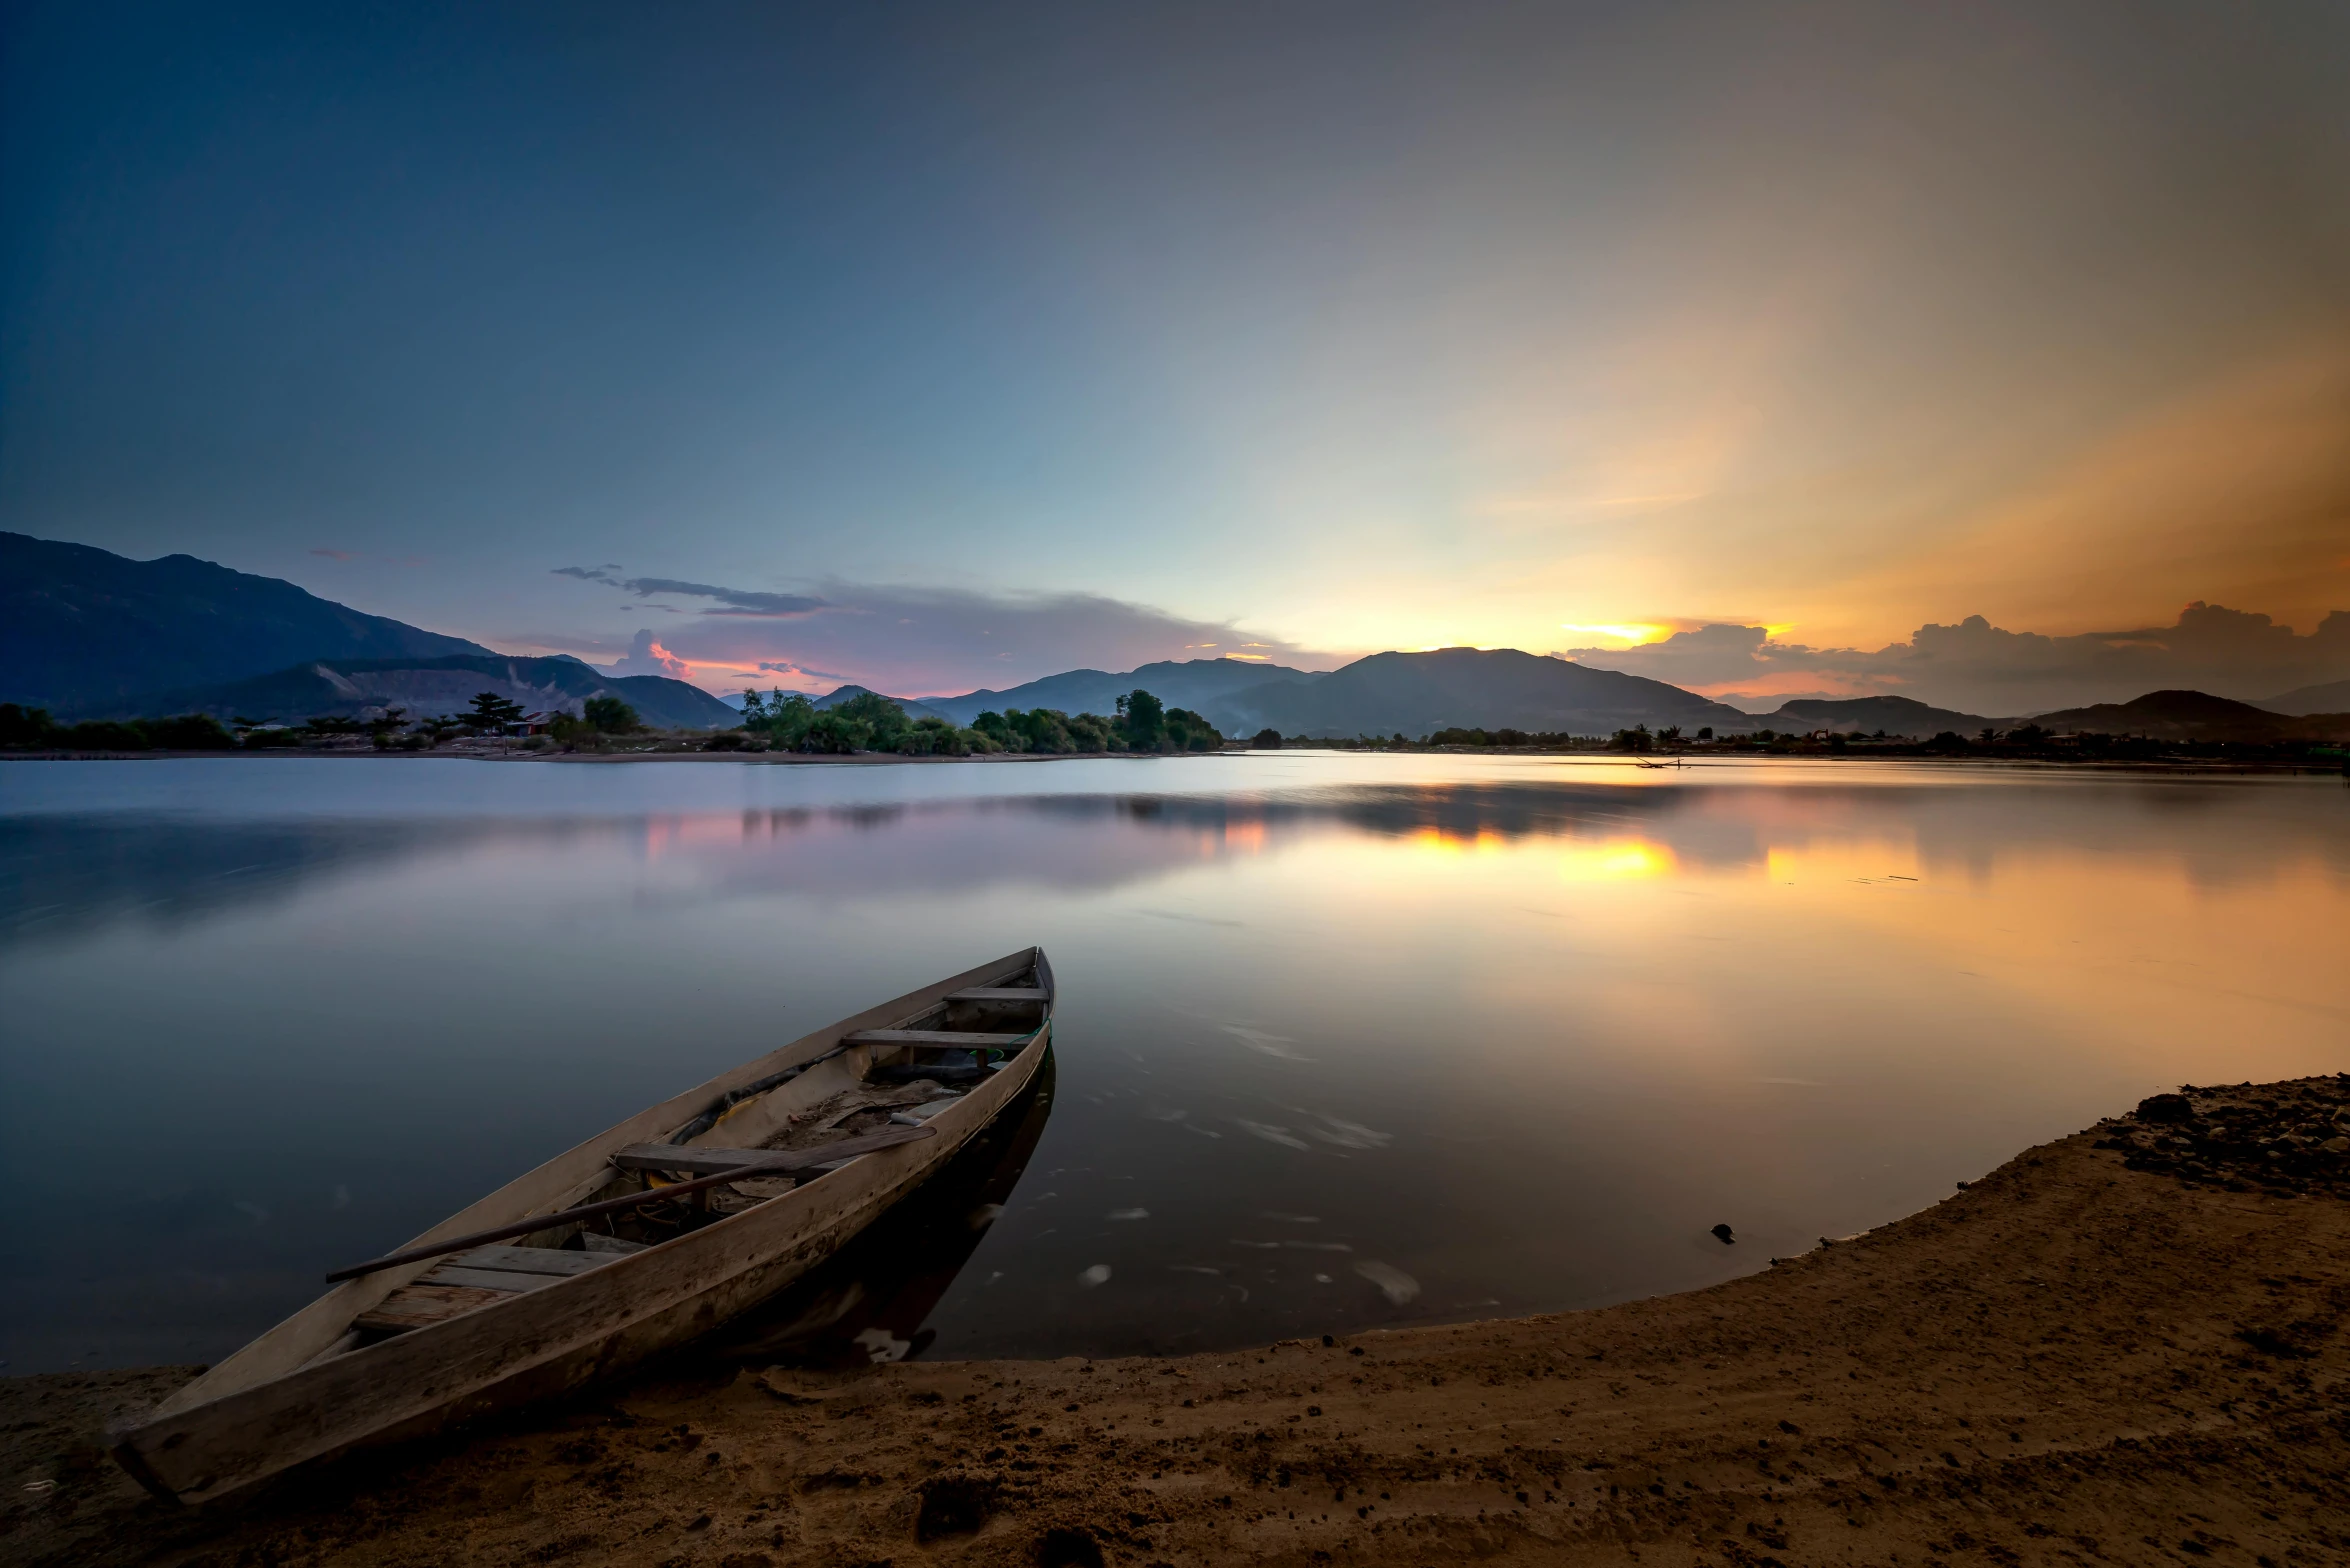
(1343, 1040)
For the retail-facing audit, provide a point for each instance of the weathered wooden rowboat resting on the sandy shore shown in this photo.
(645, 1238)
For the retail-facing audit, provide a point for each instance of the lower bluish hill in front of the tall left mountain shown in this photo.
(436, 688)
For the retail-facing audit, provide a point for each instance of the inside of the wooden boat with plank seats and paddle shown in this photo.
(873, 1090)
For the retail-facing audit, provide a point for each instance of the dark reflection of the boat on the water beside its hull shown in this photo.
(875, 1296)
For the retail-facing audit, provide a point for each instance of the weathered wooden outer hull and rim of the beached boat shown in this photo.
(551, 1341)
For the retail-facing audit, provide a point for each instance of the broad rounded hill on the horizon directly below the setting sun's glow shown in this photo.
(1475, 690)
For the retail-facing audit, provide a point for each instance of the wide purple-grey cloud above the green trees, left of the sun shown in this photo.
(925, 641)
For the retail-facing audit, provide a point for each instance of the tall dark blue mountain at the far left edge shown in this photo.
(83, 629)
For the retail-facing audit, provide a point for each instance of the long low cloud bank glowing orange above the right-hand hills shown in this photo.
(1982, 669)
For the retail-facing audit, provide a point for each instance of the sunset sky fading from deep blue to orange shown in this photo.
(951, 347)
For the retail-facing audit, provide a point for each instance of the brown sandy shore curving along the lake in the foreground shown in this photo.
(2119, 1348)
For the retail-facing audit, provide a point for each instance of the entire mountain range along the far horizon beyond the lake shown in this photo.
(90, 634)
